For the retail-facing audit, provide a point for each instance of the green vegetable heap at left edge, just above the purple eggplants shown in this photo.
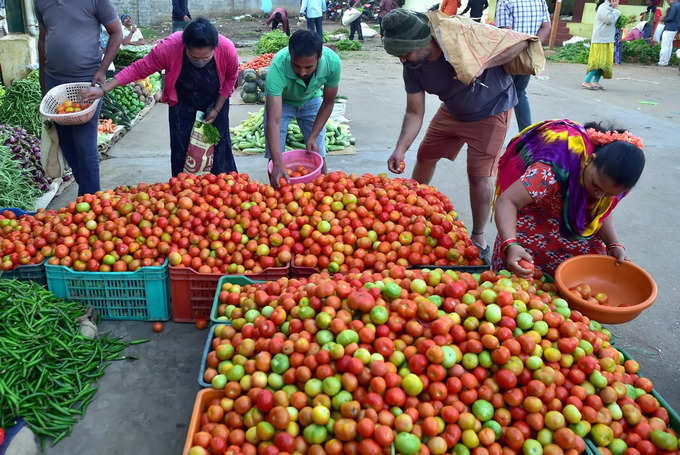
(21, 104)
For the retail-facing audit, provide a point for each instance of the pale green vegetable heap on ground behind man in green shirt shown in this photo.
(248, 136)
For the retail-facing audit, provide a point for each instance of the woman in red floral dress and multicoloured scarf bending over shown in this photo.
(558, 182)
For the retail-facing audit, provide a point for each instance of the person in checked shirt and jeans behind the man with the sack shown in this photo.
(532, 18)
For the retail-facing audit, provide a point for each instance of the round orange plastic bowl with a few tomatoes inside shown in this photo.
(630, 289)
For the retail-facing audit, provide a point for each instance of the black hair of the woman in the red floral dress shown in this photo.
(621, 161)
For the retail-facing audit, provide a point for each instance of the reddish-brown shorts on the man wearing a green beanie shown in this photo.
(446, 136)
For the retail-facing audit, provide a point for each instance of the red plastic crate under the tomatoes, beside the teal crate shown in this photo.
(193, 293)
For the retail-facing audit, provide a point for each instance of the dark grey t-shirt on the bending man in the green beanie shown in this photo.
(492, 93)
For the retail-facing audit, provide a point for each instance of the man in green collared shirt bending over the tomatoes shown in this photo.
(302, 83)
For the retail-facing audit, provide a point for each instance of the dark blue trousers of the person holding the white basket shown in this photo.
(78, 144)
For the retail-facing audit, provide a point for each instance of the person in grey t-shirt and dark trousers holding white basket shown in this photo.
(69, 51)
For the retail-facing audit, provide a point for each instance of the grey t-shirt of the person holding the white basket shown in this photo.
(72, 42)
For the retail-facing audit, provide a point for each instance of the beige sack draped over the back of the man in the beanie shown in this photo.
(468, 46)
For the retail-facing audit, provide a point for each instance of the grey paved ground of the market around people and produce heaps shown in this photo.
(144, 406)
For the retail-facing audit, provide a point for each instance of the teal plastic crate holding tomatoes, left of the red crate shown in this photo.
(142, 295)
